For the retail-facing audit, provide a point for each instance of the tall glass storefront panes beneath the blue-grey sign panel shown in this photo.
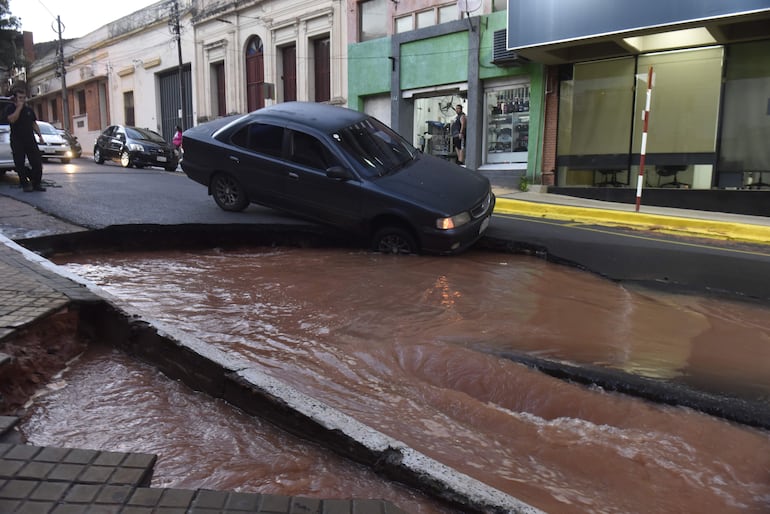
(701, 134)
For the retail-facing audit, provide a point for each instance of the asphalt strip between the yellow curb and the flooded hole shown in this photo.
(691, 265)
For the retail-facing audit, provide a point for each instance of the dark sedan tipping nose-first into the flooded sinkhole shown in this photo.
(343, 168)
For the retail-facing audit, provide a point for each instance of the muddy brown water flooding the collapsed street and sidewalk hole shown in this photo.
(407, 345)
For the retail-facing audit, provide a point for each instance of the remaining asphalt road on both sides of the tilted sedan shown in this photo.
(99, 196)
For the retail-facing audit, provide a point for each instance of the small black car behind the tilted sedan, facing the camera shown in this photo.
(133, 146)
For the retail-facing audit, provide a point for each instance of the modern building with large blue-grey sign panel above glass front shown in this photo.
(709, 121)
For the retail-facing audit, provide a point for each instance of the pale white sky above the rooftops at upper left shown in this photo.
(79, 17)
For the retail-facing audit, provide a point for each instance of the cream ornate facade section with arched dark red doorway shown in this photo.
(254, 53)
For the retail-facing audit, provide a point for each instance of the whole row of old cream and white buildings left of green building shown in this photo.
(232, 58)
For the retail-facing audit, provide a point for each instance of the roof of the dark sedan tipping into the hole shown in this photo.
(323, 117)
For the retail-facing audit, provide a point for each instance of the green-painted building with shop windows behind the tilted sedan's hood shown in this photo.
(413, 62)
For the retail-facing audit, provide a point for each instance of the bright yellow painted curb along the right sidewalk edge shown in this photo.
(661, 223)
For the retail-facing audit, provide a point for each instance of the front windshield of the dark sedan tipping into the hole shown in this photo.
(375, 146)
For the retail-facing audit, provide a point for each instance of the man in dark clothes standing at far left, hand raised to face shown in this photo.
(23, 143)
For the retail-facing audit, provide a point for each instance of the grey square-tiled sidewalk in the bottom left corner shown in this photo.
(61, 481)
